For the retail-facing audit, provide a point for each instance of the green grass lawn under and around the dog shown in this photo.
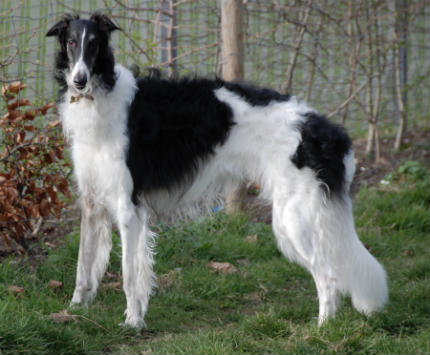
(268, 306)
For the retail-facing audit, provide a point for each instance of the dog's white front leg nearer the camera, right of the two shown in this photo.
(137, 261)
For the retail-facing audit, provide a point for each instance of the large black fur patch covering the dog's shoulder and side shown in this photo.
(173, 125)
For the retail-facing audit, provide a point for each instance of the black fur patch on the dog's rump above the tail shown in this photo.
(322, 148)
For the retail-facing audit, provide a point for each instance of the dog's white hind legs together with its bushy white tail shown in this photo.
(317, 231)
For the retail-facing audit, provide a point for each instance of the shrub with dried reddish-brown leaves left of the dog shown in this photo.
(33, 180)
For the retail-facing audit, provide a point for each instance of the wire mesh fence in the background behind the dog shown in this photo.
(303, 46)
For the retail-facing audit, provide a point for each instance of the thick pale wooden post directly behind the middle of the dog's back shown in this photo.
(232, 69)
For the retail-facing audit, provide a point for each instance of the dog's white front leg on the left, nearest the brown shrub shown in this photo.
(94, 250)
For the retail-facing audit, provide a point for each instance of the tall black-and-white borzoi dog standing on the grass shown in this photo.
(149, 146)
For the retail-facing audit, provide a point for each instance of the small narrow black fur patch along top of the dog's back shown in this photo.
(254, 95)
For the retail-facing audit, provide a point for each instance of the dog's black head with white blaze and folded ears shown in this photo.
(84, 50)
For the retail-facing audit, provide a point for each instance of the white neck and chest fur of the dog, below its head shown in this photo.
(97, 130)
